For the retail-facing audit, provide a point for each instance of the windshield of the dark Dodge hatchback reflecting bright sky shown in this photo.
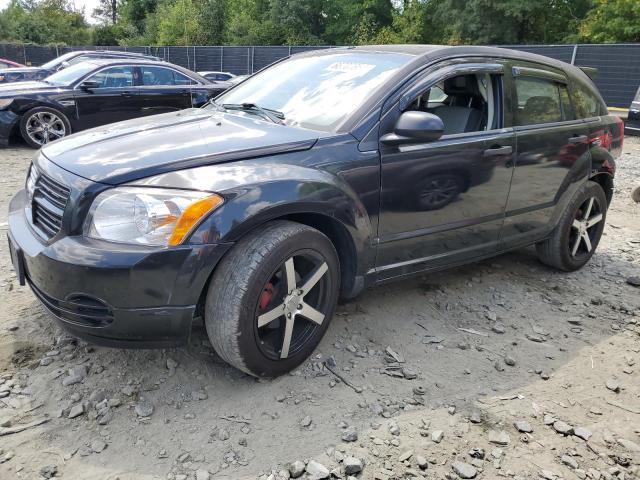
(317, 92)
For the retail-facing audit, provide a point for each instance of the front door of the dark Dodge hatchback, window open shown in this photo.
(443, 202)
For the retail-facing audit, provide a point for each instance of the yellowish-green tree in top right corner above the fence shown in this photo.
(612, 21)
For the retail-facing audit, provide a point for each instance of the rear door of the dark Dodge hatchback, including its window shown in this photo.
(552, 151)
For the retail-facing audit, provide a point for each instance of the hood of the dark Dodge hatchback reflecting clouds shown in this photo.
(134, 149)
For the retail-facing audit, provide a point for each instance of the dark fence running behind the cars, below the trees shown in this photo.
(618, 64)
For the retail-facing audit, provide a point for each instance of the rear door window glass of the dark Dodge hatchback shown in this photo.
(541, 100)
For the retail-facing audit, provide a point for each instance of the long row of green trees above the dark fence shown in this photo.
(322, 22)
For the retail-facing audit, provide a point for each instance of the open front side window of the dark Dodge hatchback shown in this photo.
(465, 103)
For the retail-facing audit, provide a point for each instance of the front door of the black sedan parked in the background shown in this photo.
(114, 99)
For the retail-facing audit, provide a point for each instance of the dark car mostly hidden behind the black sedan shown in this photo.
(22, 74)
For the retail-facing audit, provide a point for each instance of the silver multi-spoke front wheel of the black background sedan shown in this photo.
(42, 125)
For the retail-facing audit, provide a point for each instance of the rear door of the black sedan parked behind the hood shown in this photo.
(164, 90)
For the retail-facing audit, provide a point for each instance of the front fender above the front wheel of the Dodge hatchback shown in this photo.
(260, 190)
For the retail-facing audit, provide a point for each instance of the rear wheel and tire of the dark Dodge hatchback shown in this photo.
(567, 248)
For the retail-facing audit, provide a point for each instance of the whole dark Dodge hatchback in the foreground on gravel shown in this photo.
(323, 174)
